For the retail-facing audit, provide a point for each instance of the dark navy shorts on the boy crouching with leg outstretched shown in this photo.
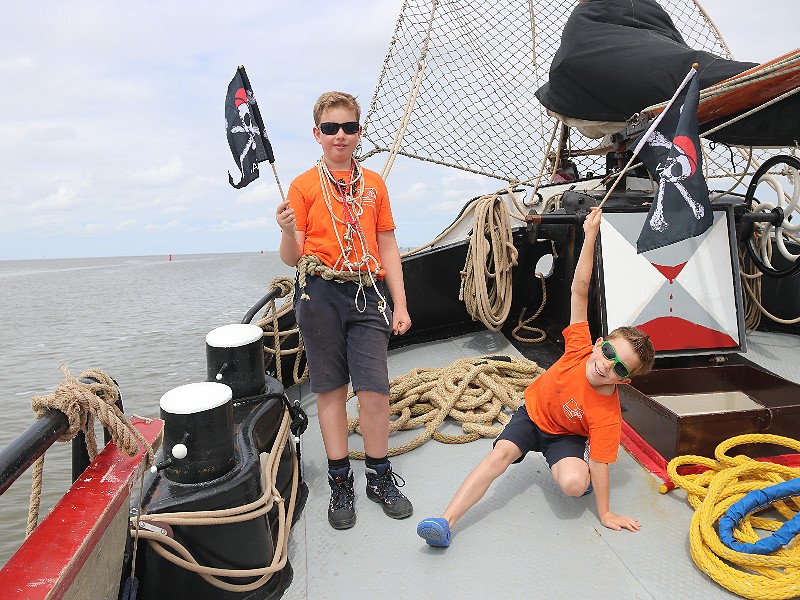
(527, 436)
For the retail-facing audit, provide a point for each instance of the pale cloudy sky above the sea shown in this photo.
(111, 117)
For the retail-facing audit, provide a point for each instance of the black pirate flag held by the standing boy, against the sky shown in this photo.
(245, 129)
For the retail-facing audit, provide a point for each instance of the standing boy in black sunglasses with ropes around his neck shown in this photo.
(337, 229)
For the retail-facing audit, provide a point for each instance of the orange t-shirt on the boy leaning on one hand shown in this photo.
(561, 401)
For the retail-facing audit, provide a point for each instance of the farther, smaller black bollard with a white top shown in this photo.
(235, 357)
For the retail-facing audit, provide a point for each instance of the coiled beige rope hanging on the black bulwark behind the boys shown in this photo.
(486, 282)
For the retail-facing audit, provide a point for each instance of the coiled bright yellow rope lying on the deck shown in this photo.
(711, 493)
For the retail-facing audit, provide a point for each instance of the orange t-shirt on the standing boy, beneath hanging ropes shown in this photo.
(314, 219)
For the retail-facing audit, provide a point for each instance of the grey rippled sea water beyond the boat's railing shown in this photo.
(142, 320)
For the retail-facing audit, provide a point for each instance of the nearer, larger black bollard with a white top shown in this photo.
(198, 432)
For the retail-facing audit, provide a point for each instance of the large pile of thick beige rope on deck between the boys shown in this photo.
(474, 391)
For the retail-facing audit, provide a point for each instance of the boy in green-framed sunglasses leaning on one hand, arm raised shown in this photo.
(571, 413)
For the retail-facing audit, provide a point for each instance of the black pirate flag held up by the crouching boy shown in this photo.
(671, 152)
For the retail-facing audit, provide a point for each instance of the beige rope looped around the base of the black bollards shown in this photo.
(176, 553)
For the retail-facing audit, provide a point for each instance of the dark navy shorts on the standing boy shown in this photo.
(342, 344)
